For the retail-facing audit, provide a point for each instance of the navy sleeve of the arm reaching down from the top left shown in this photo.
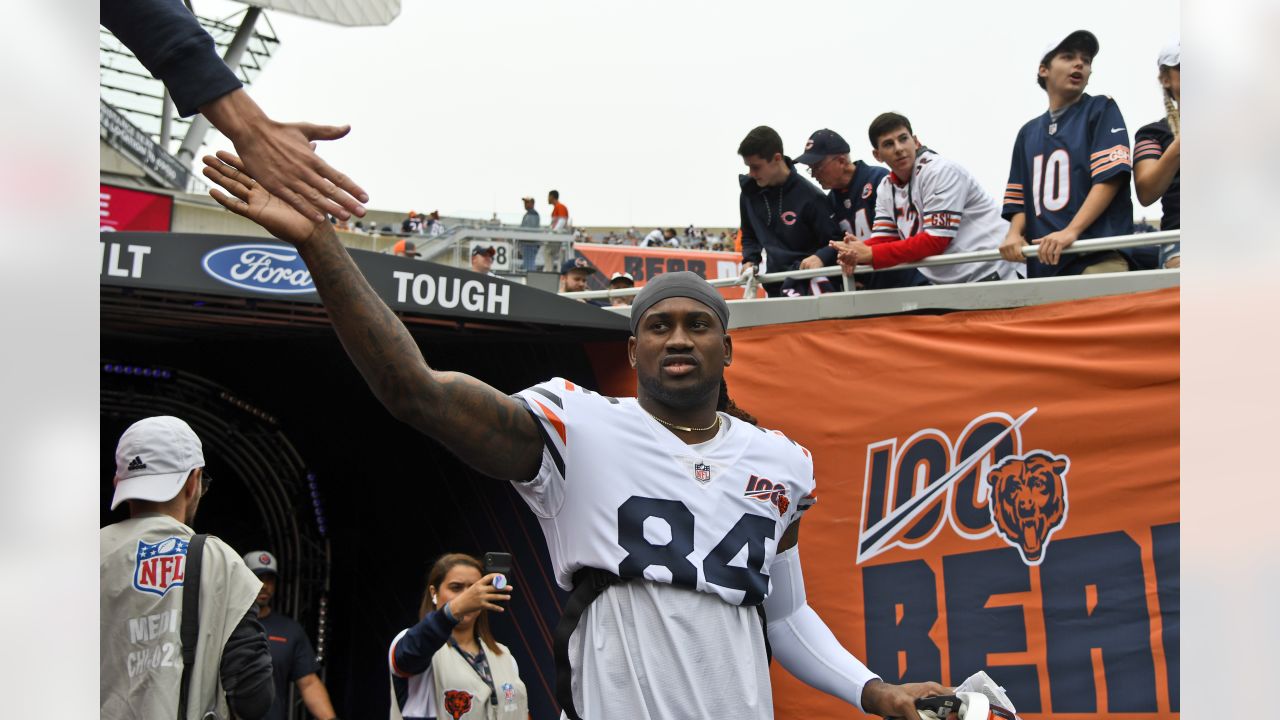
(171, 44)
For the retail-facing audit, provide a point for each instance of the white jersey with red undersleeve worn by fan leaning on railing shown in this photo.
(944, 200)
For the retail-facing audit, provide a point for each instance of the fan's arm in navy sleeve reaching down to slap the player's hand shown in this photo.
(168, 40)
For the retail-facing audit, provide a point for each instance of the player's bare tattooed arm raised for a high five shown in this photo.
(486, 429)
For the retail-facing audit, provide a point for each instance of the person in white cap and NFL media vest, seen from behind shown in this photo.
(161, 473)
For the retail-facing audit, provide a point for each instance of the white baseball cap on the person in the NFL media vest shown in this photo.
(154, 459)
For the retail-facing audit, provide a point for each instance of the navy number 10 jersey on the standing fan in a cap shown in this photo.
(1058, 160)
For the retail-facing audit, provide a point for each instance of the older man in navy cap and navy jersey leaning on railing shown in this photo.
(852, 188)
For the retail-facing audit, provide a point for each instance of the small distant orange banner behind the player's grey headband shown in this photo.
(644, 263)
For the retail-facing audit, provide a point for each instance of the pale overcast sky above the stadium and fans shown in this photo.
(634, 111)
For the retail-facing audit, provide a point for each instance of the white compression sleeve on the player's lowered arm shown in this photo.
(803, 644)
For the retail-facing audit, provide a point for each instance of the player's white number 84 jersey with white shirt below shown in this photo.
(700, 523)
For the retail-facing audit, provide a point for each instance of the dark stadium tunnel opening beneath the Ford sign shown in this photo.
(392, 499)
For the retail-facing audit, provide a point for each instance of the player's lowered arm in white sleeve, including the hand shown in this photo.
(808, 650)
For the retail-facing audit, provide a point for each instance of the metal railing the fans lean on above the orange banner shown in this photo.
(751, 281)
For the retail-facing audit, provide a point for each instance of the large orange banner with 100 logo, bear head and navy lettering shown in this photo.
(998, 491)
